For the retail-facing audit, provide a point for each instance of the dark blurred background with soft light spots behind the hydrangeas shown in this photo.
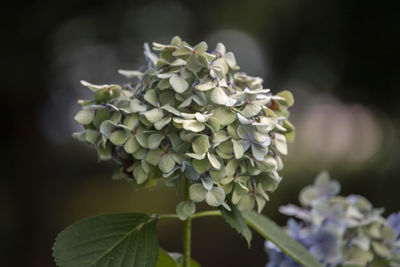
(340, 59)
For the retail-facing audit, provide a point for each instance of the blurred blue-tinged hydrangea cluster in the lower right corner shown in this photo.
(339, 230)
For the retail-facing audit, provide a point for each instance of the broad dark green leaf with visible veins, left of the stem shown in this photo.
(110, 240)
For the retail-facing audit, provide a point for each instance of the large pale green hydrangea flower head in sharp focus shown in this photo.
(191, 115)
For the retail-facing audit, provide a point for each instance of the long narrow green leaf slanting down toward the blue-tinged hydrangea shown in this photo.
(271, 231)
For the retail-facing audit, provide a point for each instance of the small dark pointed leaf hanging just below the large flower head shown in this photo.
(235, 219)
